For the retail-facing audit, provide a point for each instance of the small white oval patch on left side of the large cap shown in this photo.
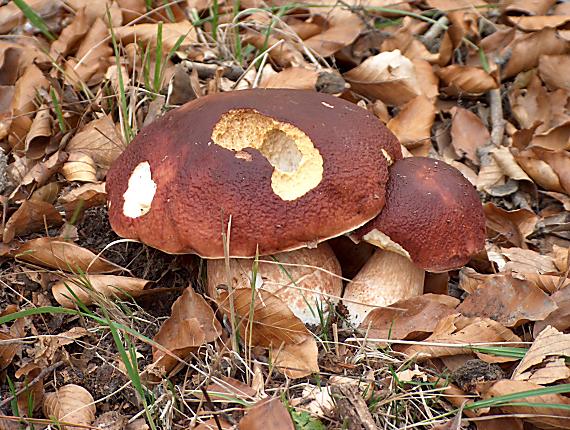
(140, 192)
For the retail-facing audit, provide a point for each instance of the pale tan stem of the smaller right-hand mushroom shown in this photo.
(386, 278)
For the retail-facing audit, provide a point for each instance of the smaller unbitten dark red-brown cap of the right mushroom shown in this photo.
(432, 212)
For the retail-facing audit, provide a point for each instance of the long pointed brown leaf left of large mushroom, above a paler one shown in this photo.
(59, 254)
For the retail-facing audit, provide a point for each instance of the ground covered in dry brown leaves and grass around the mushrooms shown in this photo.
(96, 327)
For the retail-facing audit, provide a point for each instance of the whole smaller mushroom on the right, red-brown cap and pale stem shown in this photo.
(433, 221)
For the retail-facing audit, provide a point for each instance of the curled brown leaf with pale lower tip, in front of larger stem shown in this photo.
(269, 323)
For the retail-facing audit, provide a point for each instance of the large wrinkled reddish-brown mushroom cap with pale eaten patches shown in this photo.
(292, 168)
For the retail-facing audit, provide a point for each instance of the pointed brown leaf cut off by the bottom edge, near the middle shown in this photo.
(267, 414)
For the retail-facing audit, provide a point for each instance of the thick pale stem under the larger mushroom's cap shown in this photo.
(306, 280)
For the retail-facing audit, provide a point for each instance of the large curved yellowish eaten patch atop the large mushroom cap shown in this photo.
(297, 164)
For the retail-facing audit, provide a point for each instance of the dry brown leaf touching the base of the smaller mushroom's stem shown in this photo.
(407, 319)
